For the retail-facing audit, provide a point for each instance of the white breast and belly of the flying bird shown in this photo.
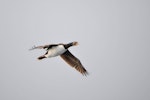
(56, 51)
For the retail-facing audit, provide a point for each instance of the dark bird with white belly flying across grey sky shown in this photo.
(61, 50)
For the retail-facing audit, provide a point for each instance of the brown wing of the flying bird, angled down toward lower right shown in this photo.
(74, 62)
